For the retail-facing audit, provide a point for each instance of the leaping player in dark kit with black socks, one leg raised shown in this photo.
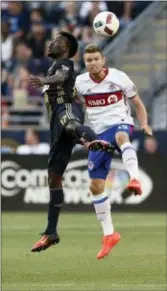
(66, 127)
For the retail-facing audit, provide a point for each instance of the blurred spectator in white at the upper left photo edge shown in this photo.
(7, 41)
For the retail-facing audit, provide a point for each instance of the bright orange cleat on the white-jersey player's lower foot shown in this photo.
(109, 241)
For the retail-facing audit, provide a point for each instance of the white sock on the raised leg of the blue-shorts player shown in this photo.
(130, 160)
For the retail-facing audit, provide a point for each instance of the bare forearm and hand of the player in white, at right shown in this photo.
(141, 114)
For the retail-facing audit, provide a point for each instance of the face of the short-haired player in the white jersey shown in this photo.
(94, 62)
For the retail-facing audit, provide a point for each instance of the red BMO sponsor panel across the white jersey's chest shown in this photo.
(103, 99)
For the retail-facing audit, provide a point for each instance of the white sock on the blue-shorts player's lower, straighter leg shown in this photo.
(103, 212)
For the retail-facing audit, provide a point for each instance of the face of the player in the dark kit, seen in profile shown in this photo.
(57, 47)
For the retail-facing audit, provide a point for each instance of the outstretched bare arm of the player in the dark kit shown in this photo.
(59, 78)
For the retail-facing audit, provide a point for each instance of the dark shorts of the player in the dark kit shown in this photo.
(61, 142)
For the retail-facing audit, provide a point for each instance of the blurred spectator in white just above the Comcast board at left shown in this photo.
(32, 144)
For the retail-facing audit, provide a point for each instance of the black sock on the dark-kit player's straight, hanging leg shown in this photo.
(55, 205)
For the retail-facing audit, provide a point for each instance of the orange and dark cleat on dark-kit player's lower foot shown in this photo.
(45, 242)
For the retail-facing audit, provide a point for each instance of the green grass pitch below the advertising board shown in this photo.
(138, 262)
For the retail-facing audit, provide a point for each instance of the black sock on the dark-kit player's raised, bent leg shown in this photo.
(86, 133)
